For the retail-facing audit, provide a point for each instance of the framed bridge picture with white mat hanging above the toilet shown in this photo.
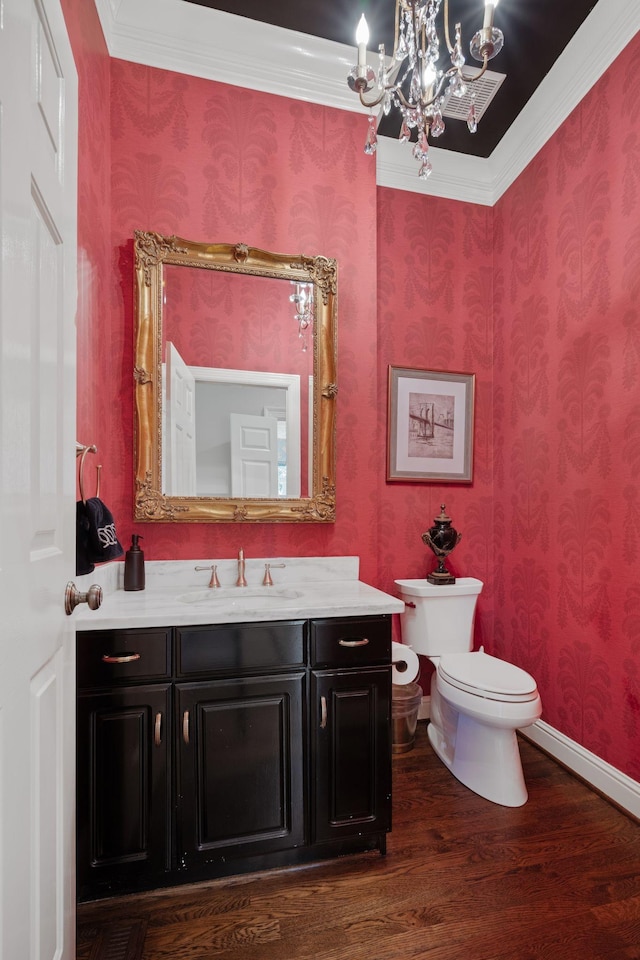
(430, 425)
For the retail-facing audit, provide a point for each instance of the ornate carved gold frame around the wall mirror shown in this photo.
(152, 252)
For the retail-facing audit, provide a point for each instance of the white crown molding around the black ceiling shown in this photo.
(195, 40)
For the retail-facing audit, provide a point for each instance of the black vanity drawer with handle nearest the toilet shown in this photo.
(350, 641)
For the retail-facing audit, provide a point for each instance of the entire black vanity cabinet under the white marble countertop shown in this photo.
(206, 751)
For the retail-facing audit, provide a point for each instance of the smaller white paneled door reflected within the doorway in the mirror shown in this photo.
(254, 455)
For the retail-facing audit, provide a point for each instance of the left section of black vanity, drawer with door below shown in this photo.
(123, 785)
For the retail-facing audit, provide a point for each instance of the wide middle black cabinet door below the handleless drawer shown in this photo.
(240, 767)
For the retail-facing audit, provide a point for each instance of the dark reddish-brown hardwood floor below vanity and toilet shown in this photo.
(463, 879)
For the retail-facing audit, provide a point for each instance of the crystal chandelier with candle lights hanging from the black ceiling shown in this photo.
(413, 82)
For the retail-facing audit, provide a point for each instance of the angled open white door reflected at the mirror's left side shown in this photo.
(179, 442)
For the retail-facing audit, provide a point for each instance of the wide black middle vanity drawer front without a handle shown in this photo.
(240, 647)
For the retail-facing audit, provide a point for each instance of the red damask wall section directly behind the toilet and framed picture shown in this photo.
(435, 313)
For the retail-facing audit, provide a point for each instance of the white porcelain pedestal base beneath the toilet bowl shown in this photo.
(486, 760)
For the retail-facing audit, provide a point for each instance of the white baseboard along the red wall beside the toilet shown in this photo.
(616, 786)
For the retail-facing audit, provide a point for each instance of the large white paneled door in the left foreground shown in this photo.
(38, 186)
